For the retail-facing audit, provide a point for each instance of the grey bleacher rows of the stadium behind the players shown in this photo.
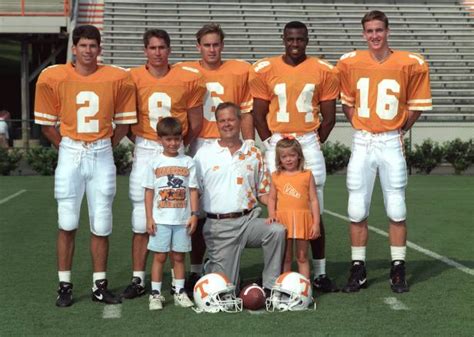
(443, 33)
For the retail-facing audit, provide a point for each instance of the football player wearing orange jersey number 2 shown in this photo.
(86, 98)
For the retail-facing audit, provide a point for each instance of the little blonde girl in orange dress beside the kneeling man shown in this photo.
(293, 202)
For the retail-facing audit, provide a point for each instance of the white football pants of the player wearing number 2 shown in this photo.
(85, 167)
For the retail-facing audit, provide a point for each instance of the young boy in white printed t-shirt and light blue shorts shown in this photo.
(171, 205)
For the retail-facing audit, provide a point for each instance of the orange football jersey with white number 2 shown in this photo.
(85, 106)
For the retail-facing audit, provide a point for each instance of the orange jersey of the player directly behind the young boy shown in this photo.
(181, 89)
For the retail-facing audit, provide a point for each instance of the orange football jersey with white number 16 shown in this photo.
(383, 92)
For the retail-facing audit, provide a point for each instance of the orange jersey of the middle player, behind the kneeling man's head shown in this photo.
(229, 83)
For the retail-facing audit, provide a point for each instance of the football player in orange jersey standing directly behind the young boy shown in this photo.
(162, 90)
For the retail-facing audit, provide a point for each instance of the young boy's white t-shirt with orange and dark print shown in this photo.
(171, 178)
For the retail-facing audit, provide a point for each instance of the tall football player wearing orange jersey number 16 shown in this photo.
(383, 92)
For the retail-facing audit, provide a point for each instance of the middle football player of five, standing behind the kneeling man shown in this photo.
(226, 81)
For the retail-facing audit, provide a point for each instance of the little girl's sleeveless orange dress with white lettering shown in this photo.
(293, 205)
